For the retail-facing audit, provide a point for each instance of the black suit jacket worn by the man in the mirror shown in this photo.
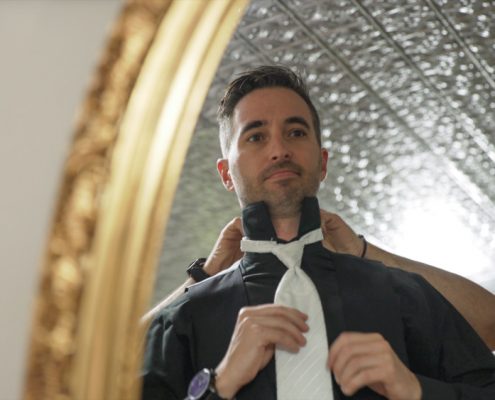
(426, 332)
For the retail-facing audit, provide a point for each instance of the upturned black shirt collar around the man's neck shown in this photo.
(258, 225)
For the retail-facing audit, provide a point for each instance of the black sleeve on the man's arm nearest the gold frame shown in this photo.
(167, 367)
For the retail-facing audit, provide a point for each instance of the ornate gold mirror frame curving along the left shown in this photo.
(117, 190)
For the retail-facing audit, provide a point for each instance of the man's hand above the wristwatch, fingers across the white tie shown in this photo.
(258, 330)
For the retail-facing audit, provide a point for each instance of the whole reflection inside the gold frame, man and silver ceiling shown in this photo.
(405, 94)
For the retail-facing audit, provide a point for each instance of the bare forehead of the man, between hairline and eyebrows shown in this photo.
(270, 104)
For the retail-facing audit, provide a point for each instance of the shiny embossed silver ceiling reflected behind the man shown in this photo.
(406, 98)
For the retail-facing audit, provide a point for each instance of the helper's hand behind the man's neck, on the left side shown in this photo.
(227, 249)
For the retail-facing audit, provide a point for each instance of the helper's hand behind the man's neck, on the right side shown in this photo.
(338, 236)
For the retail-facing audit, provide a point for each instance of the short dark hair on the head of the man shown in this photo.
(258, 78)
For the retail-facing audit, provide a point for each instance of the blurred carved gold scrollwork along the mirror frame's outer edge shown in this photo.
(68, 258)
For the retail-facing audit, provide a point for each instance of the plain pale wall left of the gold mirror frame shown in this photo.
(49, 49)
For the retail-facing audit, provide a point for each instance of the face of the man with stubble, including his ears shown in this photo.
(274, 154)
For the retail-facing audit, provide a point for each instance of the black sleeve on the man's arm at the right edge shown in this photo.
(448, 357)
